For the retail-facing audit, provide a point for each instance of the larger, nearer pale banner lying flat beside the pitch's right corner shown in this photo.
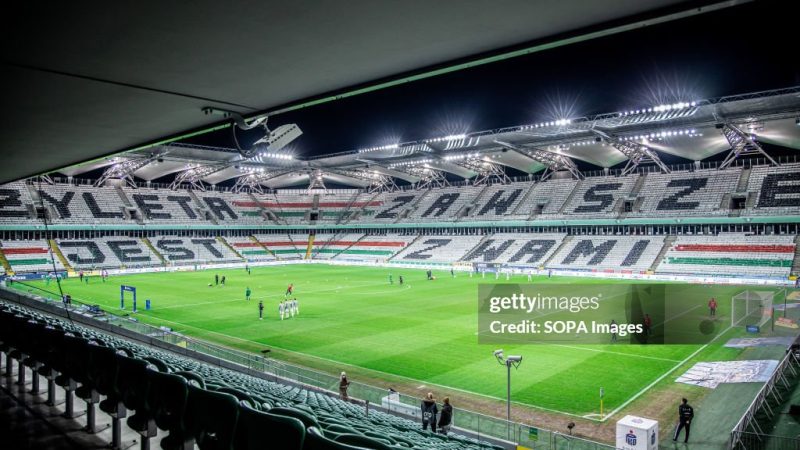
(712, 374)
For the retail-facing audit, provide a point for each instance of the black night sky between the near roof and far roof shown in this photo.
(743, 49)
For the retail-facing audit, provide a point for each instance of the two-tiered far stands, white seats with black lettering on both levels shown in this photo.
(757, 191)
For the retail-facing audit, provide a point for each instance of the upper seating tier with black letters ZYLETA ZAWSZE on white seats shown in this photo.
(763, 190)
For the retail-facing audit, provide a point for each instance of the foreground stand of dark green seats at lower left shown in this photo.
(190, 401)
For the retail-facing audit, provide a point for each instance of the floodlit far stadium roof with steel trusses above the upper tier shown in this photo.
(694, 129)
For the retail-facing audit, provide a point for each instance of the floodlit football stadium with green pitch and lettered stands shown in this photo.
(152, 294)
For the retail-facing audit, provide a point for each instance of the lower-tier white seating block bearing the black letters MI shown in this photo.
(622, 254)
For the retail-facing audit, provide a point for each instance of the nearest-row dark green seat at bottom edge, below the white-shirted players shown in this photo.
(254, 427)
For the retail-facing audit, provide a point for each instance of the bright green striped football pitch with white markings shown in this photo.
(423, 331)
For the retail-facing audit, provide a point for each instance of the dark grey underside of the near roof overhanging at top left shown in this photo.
(81, 82)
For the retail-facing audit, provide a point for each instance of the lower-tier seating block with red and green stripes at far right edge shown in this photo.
(730, 254)
